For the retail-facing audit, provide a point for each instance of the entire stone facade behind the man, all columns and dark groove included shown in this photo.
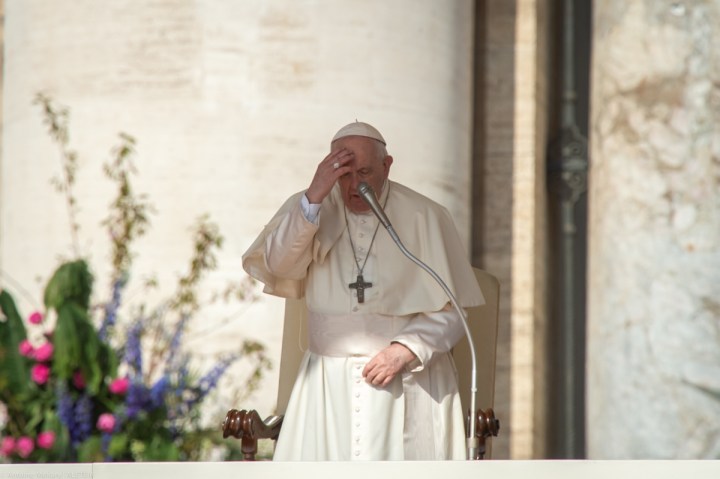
(576, 144)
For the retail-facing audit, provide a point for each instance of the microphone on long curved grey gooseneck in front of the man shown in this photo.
(473, 443)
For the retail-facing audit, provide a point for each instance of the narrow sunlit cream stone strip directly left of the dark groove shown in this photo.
(529, 205)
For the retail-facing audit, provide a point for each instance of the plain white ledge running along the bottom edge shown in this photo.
(371, 470)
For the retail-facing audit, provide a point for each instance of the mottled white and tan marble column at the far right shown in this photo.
(653, 383)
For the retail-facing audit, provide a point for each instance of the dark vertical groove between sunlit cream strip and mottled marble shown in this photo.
(567, 165)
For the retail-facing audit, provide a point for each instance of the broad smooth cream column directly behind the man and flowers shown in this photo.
(232, 104)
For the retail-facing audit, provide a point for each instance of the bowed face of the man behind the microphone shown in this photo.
(368, 165)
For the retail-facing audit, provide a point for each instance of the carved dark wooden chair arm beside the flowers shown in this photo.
(248, 426)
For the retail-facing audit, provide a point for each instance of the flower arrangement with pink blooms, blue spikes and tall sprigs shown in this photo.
(86, 382)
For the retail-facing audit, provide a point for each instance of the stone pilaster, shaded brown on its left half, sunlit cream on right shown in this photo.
(513, 228)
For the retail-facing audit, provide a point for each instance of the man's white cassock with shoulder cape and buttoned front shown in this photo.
(333, 414)
